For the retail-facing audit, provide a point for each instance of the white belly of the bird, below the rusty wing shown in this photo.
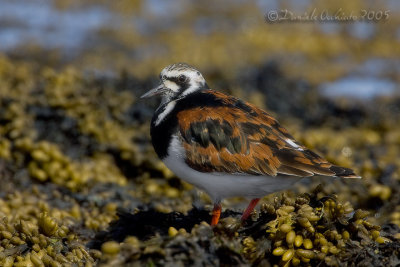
(222, 185)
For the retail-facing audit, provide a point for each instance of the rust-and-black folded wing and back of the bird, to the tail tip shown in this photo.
(237, 137)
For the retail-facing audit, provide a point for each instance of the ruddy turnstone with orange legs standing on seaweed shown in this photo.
(225, 146)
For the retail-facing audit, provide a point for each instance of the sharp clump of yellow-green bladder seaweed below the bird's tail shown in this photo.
(303, 233)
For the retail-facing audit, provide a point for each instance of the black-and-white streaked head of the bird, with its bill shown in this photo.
(176, 81)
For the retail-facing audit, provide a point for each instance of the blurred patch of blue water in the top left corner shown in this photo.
(38, 22)
